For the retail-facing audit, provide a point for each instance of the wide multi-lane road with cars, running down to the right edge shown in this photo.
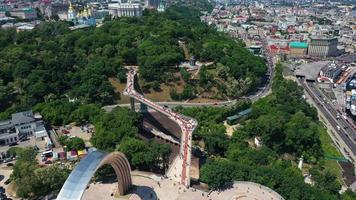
(345, 137)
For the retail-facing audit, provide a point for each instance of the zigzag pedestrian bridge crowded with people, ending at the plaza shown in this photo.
(187, 125)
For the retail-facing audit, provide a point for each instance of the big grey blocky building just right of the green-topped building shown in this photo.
(322, 46)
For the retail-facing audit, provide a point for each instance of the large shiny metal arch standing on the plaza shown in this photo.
(75, 185)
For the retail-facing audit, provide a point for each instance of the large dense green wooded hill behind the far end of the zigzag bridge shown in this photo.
(51, 62)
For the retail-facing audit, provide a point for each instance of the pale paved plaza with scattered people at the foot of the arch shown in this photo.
(147, 187)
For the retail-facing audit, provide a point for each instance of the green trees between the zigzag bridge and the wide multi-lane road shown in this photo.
(288, 128)
